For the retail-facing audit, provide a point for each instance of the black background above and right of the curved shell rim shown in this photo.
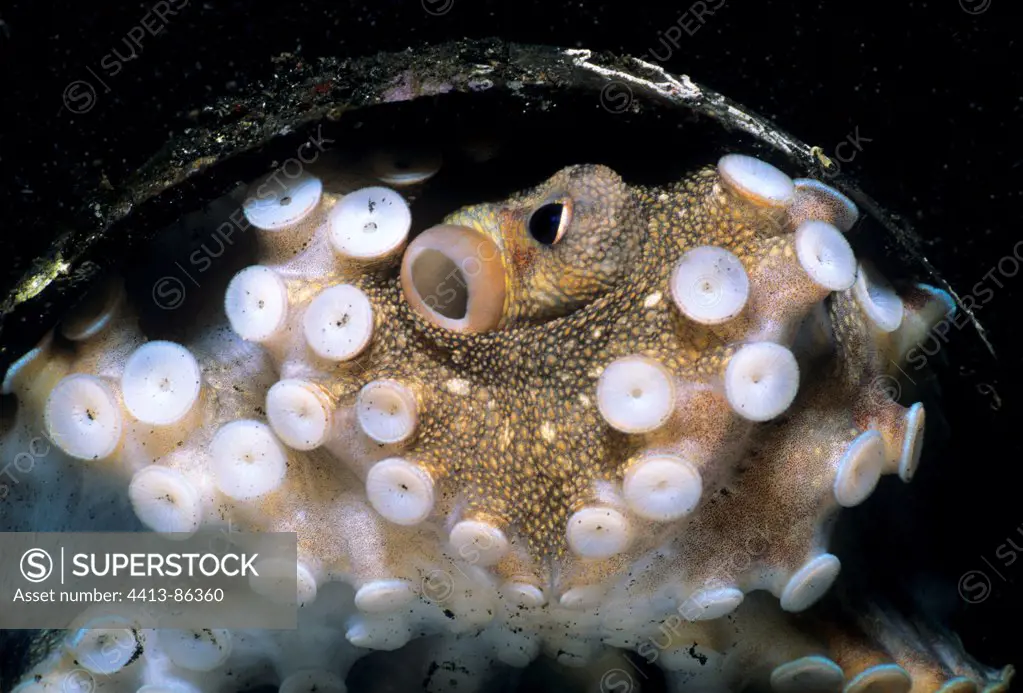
(933, 91)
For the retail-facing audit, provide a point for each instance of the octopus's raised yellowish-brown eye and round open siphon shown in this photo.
(538, 256)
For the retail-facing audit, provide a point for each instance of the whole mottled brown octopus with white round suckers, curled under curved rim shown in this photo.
(592, 419)
